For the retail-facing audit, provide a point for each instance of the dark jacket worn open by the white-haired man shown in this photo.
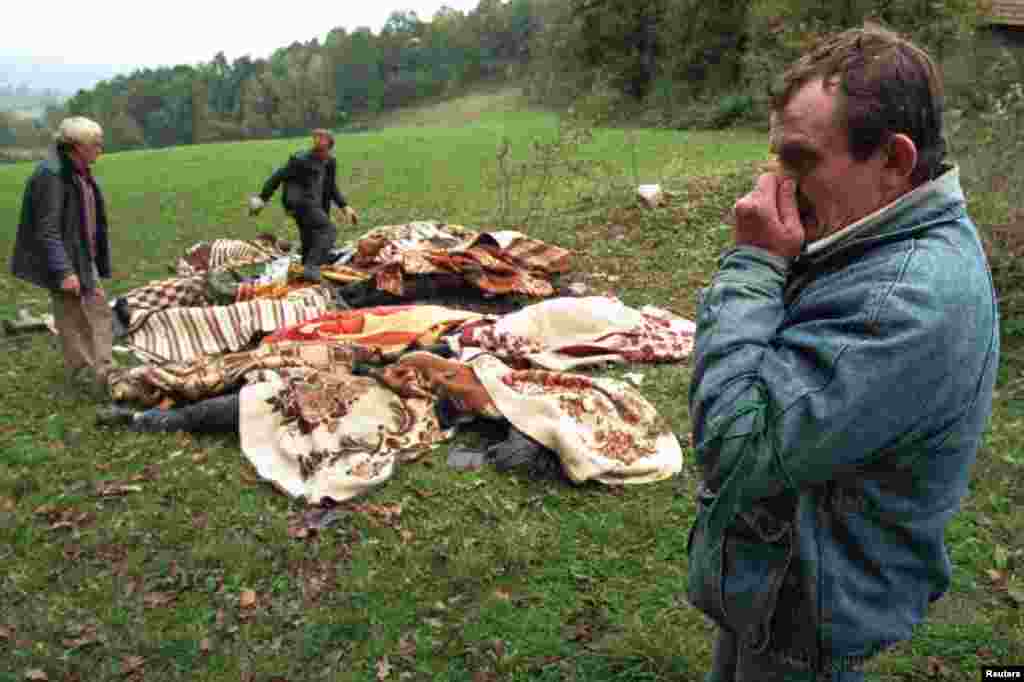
(52, 242)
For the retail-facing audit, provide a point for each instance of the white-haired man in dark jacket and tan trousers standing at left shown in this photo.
(62, 245)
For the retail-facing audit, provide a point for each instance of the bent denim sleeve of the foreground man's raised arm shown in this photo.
(778, 411)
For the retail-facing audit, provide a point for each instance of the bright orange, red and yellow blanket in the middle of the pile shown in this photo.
(391, 328)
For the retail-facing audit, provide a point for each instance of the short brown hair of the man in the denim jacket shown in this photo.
(886, 84)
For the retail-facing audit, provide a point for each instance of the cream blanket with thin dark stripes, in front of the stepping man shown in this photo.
(183, 334)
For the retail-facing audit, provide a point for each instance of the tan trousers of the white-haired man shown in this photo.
(86, 330)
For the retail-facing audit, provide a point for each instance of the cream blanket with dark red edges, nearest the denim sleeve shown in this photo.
(564, 333)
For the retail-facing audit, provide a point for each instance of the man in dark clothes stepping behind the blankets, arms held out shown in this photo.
(311, 187)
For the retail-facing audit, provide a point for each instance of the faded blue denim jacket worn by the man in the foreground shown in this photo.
(838, 404)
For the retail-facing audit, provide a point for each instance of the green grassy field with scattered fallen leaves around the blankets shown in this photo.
(483, 576)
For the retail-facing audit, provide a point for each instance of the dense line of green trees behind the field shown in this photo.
(680, 63)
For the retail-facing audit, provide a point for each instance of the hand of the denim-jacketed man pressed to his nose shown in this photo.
(769, 219)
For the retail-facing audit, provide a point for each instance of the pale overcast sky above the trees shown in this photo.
(132, 34)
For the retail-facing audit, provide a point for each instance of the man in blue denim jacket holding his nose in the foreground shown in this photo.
(845, 362)
